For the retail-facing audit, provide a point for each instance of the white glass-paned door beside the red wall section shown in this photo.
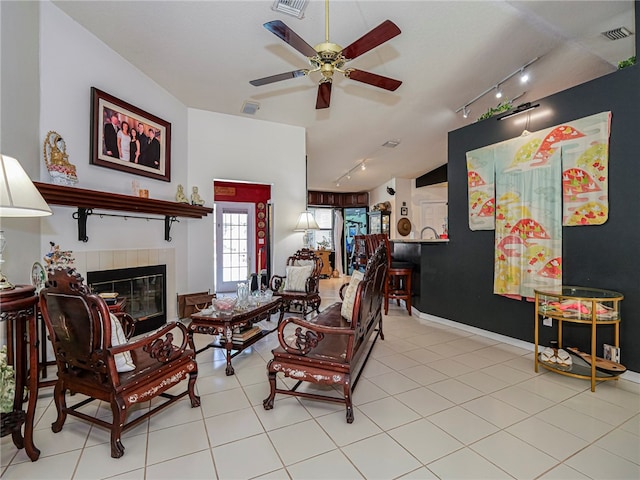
(235, 242)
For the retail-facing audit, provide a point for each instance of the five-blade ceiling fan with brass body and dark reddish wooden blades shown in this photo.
(328, 58)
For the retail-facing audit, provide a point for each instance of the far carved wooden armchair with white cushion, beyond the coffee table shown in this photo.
(299, 289)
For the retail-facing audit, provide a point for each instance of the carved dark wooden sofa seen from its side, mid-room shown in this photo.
(333, 347)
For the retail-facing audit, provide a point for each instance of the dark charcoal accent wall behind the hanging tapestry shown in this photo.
(458, 282)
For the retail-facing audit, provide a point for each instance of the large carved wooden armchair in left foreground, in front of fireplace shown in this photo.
(85, 337)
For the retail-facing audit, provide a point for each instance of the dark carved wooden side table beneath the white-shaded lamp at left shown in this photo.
(17, 311)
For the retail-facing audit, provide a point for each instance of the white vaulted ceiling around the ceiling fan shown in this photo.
(206, 52)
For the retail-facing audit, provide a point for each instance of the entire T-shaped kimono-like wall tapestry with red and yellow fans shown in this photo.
(548, 179)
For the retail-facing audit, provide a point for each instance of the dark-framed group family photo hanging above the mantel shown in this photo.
(126, 138)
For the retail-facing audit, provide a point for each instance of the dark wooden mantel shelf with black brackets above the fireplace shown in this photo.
(86, 200)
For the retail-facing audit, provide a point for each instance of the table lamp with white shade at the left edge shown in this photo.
(19, 197)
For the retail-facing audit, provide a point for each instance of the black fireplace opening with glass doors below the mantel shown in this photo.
(143, 288)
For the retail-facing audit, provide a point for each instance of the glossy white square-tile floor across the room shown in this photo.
(433, 402)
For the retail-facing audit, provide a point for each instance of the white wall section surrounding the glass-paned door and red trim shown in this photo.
(226, 147)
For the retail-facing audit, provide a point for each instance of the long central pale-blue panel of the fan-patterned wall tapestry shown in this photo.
(528, 239)
